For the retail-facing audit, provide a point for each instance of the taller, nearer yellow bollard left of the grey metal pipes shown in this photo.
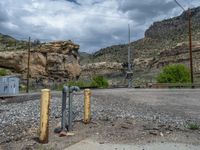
(44, 116)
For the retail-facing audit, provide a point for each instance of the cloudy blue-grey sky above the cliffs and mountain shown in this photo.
(93, 24)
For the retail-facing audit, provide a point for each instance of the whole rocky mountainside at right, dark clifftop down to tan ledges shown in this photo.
(165, 42)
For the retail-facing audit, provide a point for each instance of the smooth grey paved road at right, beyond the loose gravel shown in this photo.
(177, 102)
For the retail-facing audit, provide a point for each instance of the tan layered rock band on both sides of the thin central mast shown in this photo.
(148, 67)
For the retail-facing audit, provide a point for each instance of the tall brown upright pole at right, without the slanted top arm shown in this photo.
(190, 45)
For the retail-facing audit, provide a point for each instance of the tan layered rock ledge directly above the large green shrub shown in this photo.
(150, 67)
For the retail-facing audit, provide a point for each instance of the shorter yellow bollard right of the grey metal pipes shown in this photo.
(87, 96)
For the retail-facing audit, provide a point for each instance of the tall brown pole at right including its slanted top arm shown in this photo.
(190, 38)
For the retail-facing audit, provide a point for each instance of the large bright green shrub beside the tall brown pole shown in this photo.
(176, 73)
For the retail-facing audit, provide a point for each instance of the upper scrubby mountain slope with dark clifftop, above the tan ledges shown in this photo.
(160, 36)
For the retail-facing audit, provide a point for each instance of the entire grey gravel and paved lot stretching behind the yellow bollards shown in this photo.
(165, 107)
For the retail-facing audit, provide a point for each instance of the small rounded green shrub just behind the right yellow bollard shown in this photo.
(100, 82)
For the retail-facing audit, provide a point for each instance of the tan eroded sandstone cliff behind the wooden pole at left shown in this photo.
(56, 61)
